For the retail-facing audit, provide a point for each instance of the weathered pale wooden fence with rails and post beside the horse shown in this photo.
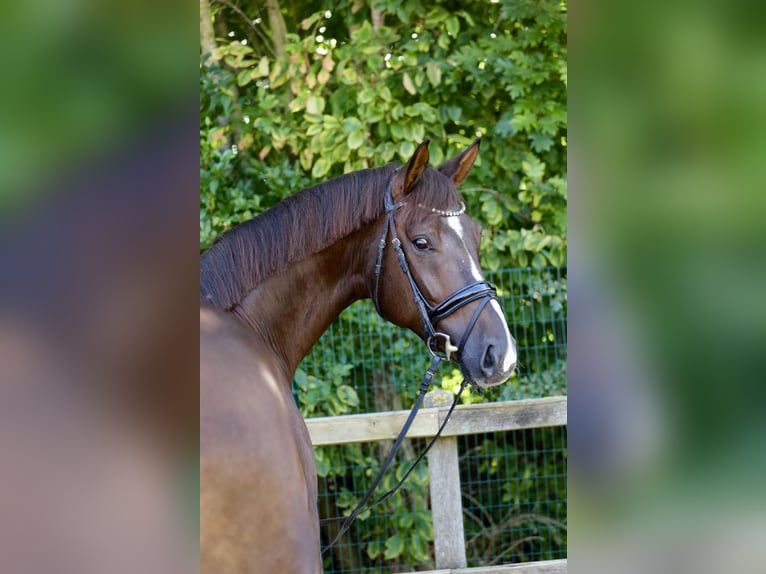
(446, 502)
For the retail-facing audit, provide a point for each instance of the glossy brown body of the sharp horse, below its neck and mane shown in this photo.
(257, 485)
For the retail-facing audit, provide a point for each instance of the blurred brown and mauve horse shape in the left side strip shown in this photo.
(98, 352)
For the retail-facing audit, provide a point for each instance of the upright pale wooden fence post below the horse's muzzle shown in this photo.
(446, 502)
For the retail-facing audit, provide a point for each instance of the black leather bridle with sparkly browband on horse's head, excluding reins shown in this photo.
(430, 314)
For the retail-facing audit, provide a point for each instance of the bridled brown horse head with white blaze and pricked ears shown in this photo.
(427, 276)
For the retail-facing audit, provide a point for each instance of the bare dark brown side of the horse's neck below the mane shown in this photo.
(292, 308)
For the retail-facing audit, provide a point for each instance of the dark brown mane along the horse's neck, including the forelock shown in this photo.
(247, 254)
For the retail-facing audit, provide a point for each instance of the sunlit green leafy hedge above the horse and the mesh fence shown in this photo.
(348, 96)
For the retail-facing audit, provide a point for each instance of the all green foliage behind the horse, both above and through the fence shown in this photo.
(348, 95)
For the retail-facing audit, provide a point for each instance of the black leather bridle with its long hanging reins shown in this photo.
(431, 315)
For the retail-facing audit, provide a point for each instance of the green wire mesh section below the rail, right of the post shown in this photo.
(513, 487)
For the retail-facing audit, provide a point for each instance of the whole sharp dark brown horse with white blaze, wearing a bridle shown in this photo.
(271, 286)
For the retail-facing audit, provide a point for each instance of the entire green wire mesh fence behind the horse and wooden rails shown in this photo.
(513, 484)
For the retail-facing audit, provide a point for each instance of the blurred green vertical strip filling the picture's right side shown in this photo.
(667, 272)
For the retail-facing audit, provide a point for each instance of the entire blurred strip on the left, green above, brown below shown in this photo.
(98, 273)
